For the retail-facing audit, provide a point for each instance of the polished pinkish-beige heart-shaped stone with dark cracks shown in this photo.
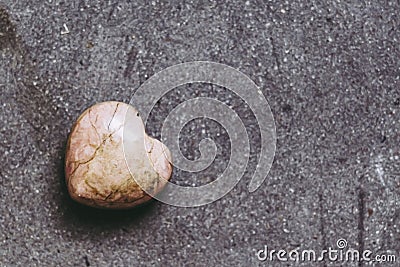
(107, 152)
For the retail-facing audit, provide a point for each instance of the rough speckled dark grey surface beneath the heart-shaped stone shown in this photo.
(329, 69)
